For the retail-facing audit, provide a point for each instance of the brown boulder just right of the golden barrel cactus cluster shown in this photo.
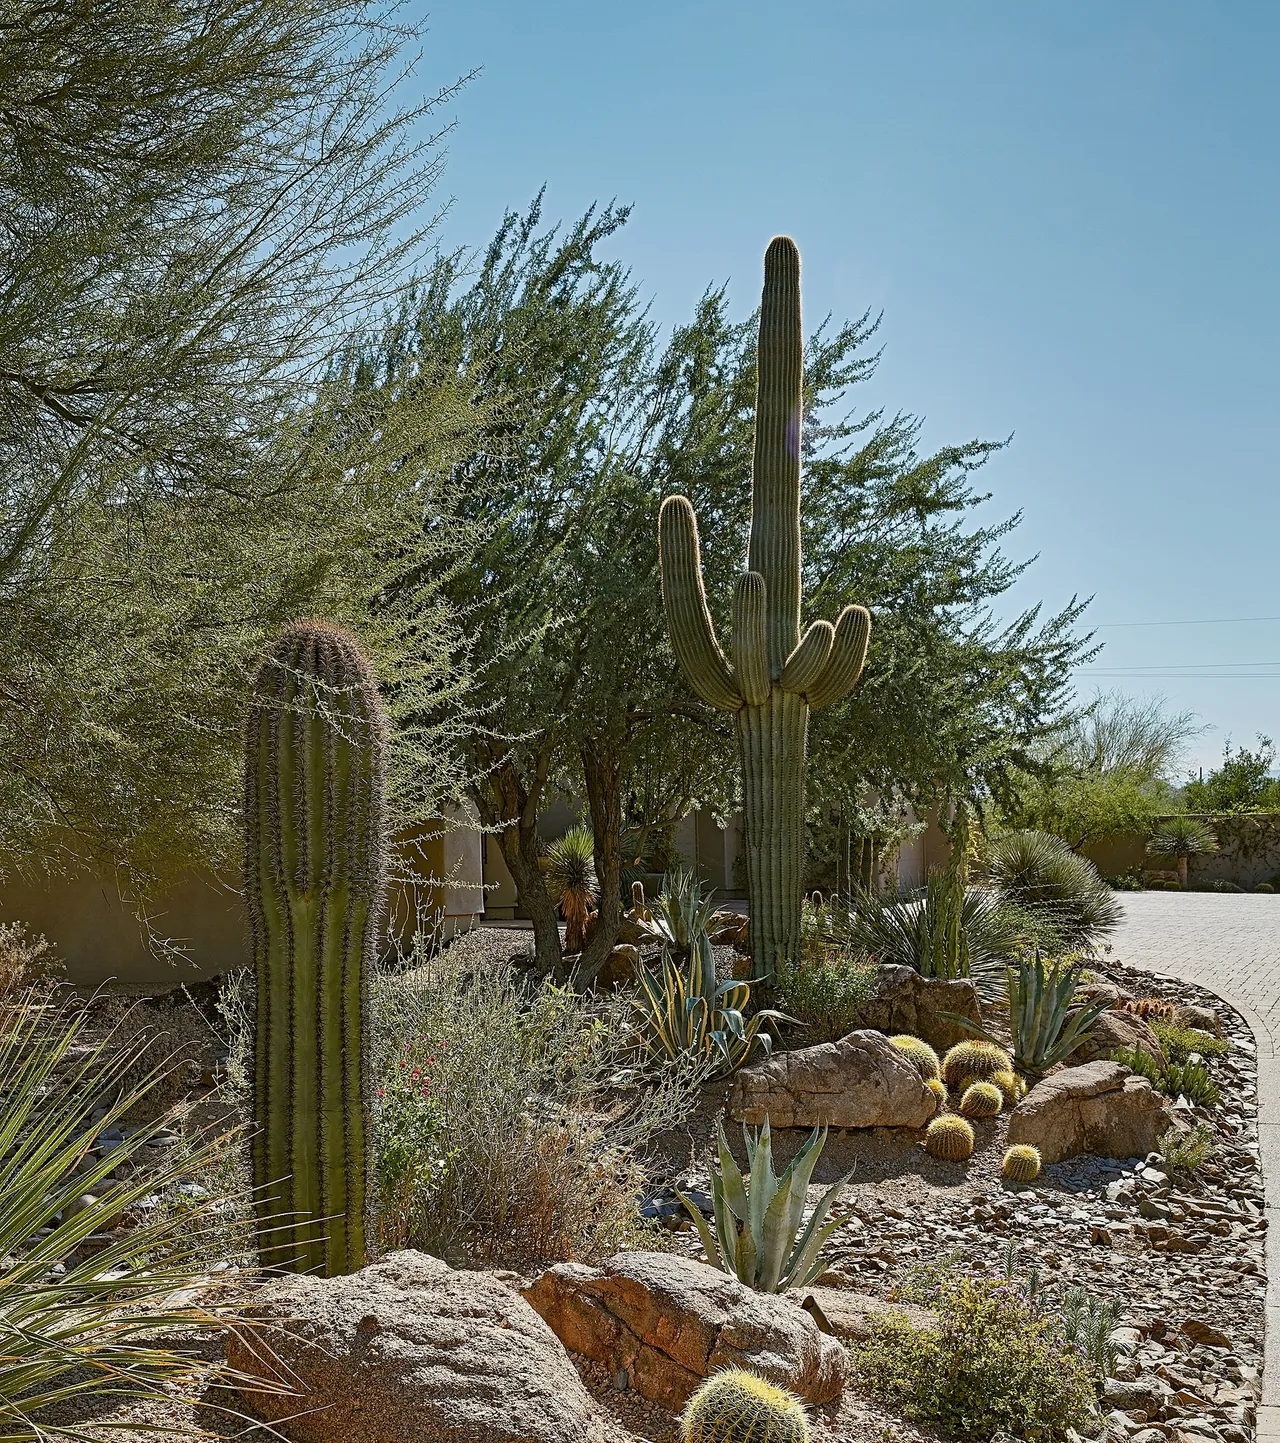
(1100, 1108)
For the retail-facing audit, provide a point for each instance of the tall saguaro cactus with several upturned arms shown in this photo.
(774, 676)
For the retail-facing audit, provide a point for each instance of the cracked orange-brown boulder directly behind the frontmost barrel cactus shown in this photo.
(662, 1324)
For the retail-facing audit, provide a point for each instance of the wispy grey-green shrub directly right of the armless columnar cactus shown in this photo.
(512, 1115)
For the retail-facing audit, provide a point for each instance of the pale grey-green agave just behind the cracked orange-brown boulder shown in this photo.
(758, 1219)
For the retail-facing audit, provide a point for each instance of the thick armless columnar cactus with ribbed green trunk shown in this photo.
(315, 869)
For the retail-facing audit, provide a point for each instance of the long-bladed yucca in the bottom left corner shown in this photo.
(86, 1320)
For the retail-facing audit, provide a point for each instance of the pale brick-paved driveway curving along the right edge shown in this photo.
(1232, 946)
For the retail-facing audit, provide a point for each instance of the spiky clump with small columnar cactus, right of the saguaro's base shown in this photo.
(946, 930)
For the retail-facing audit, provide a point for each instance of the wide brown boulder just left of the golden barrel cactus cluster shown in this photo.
(859, 1082)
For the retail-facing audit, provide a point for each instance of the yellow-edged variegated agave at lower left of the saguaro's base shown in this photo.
(680, 1022)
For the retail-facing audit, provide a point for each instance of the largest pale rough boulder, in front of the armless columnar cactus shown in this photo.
(411, 1351)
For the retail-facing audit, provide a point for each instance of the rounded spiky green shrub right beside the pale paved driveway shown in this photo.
(1044, 877)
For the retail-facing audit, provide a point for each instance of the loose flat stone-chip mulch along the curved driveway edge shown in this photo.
(1181, 1252)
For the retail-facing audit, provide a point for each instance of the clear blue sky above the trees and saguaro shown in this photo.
(1069, 216)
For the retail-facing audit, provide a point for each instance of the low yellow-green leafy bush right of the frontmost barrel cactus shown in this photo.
(995, 1363)
